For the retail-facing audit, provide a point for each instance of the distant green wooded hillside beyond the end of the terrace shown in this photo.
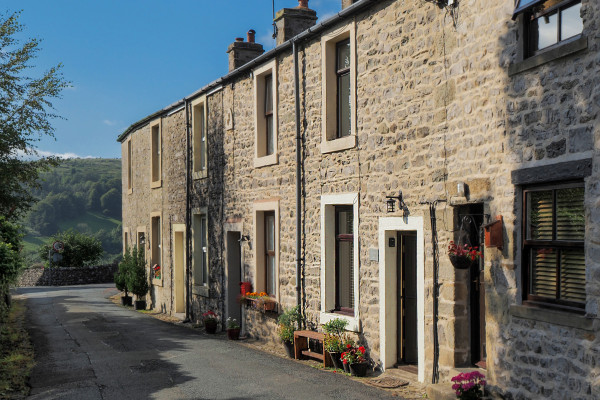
(80, 194)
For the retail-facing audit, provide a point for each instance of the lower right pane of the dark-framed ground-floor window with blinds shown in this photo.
(572, 275)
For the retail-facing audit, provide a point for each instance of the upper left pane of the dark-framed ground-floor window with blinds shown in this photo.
(539, 215)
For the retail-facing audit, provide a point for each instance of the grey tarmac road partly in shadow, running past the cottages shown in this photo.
(88, 348)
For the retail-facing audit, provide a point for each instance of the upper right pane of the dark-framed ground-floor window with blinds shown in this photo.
(570, 214)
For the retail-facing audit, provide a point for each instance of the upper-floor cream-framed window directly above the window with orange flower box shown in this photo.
(265, 115)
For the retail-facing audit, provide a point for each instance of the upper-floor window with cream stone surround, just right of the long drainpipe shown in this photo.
(339, 89)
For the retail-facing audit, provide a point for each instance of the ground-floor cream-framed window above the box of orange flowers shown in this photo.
(266, 239)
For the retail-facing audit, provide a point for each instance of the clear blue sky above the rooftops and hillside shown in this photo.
(129, 58)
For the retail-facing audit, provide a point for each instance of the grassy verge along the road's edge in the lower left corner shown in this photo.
(16, 354)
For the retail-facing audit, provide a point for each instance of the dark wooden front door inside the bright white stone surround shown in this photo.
(407, 297)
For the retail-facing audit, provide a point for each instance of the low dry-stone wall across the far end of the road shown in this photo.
(40, 276)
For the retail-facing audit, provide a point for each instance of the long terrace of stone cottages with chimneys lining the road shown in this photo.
(334, 171)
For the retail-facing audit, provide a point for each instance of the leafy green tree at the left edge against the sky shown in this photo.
(26, 113)
